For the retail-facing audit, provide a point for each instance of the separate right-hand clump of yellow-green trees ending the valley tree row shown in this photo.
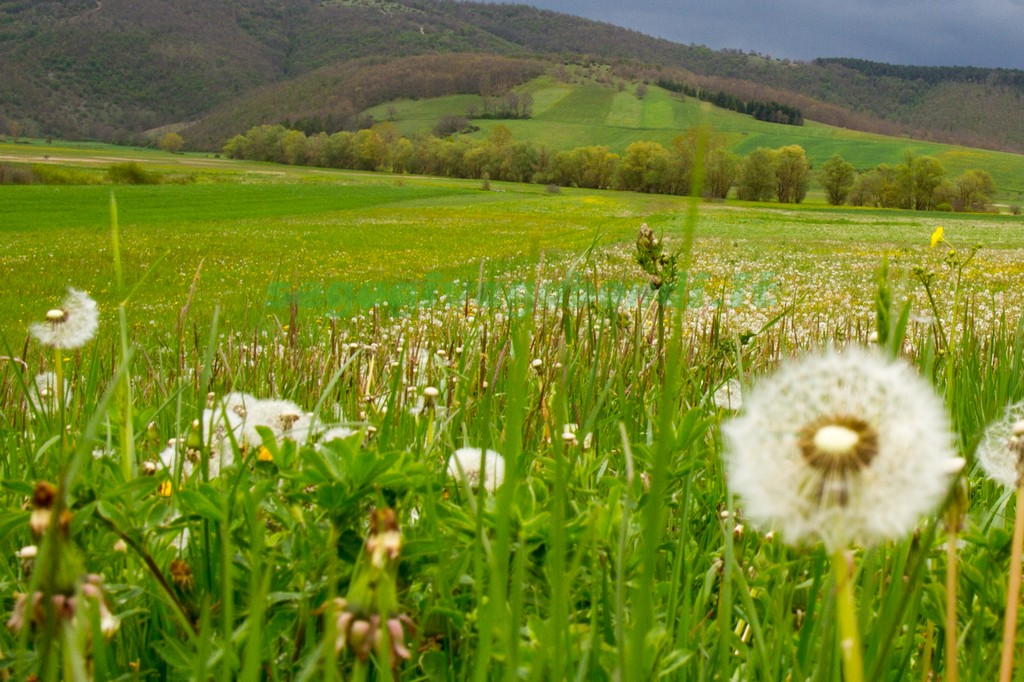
(919, 183)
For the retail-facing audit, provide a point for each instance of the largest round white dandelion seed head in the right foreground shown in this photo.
(844, 447)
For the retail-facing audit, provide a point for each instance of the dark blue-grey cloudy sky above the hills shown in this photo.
(977, 33)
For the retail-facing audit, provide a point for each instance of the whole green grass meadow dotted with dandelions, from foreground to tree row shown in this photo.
(614, 549)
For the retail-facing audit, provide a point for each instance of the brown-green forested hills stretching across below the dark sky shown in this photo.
(111, 69)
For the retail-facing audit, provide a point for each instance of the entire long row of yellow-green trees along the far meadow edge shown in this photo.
(783, 175)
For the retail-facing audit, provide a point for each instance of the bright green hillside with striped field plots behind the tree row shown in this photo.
(572, 115)
